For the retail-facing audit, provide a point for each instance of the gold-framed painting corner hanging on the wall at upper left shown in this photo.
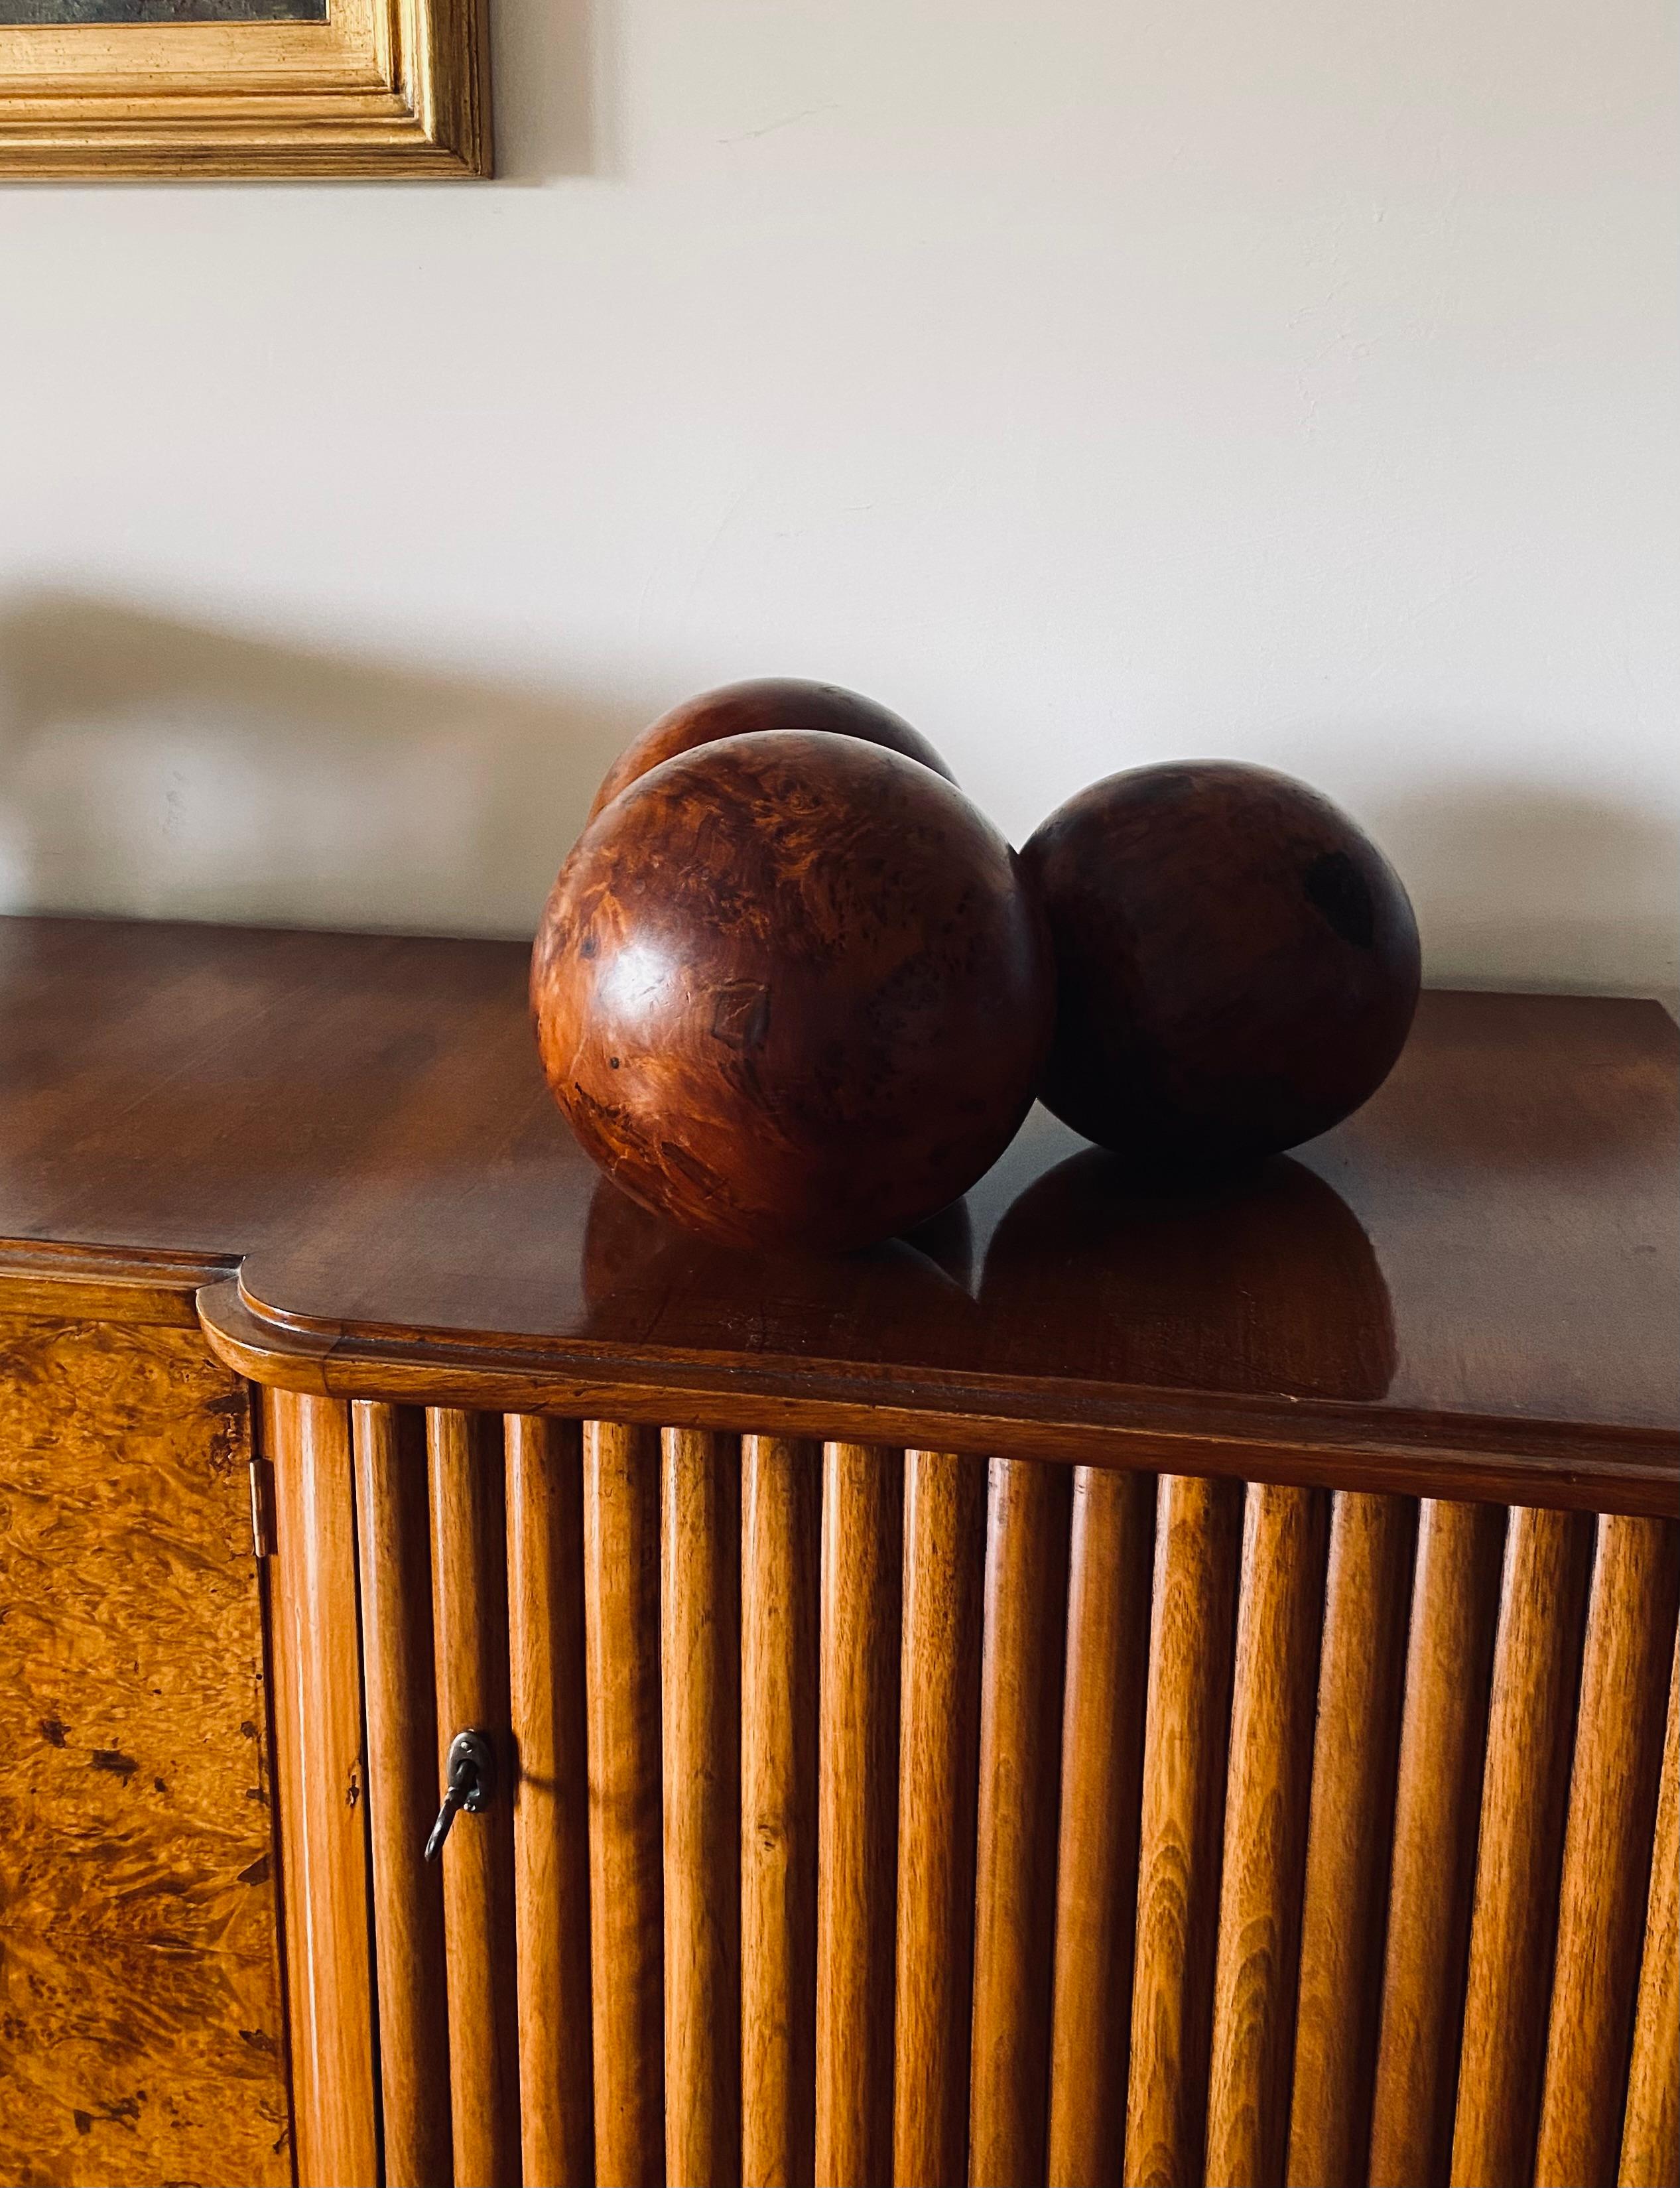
(180, 89)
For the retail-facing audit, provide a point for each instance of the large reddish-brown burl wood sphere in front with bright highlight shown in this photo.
(791, 992)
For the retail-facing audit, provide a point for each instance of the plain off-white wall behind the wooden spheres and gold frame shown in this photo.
(1090, 380)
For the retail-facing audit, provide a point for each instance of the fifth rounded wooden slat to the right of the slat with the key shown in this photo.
(856, 1813)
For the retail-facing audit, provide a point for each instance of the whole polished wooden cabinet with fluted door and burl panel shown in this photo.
(1104, 1690)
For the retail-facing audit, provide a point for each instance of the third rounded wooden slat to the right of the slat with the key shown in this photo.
(701, 1548)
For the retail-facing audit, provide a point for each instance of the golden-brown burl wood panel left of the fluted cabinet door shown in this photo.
(141, 2027)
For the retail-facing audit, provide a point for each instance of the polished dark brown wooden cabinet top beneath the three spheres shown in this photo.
(1471, 1283)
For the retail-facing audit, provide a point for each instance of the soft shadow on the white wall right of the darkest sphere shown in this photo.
(1539, 889)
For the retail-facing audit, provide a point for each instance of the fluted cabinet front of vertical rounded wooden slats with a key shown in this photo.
(913, 1817)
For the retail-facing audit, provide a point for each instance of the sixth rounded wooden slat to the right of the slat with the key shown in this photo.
(940, 1760)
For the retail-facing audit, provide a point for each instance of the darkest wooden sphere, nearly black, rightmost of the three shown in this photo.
(1237, 964)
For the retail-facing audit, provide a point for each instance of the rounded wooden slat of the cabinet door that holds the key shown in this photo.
(469, 1609)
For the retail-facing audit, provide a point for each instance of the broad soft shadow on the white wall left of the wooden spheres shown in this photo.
(159, 769)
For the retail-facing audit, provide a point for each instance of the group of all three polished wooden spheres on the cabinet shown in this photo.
(793, 990)
